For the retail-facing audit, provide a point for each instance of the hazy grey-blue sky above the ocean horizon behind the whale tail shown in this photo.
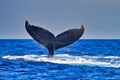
(101, 18)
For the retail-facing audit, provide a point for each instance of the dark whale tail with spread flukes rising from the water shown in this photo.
(51, 42)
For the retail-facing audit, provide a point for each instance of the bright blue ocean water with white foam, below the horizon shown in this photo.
(86, 59)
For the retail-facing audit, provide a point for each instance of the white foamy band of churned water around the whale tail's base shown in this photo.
(107, 61)
